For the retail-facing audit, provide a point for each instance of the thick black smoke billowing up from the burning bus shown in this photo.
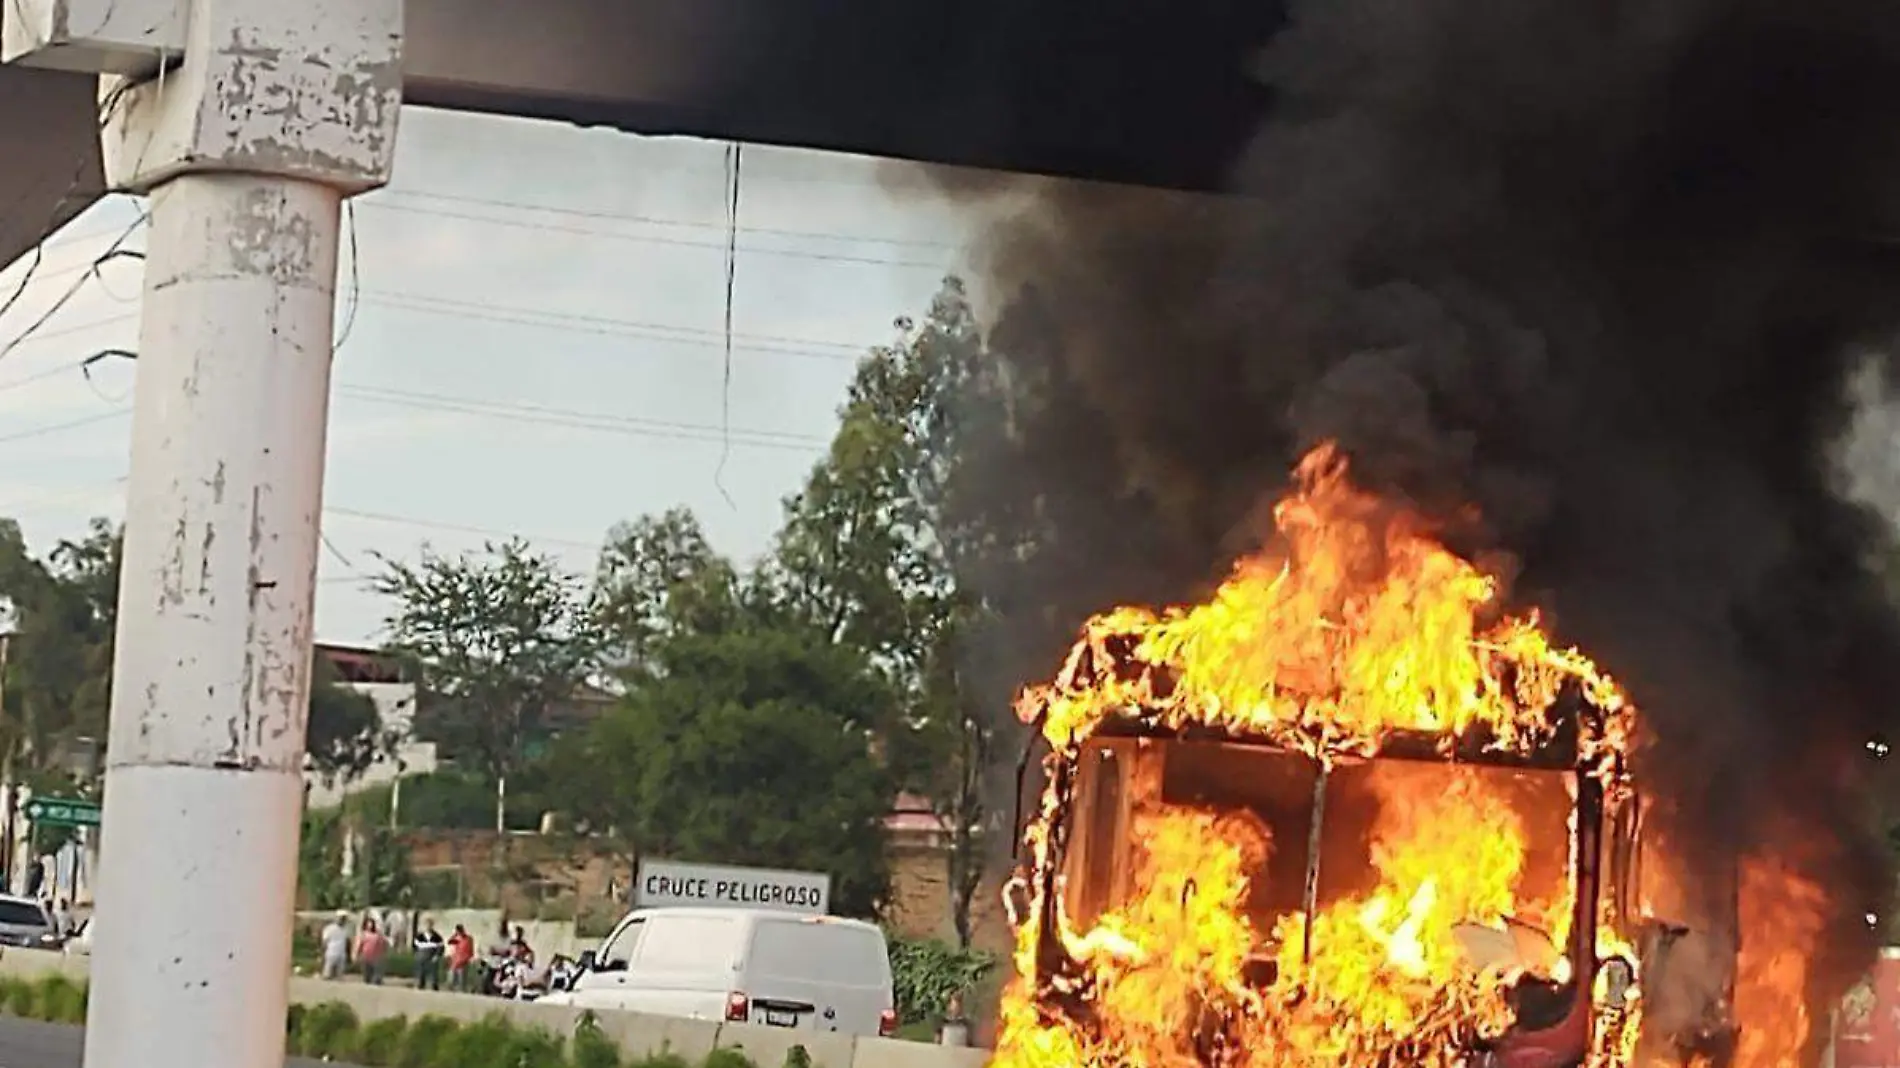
(1599, 269)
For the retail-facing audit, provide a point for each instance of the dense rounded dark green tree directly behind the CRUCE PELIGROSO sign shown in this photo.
(751, 748)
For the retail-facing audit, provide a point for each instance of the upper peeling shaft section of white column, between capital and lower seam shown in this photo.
(231, 548)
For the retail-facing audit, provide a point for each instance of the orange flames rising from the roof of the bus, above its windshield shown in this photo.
(1363, 628)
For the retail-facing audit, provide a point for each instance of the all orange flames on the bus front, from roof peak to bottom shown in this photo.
(1356, 630)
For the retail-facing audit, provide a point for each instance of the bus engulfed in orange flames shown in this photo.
(1350, 812)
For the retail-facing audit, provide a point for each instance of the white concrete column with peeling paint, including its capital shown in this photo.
(280, 111)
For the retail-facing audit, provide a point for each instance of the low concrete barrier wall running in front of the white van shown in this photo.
(637, 1033)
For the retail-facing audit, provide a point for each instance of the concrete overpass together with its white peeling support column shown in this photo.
(248, 124)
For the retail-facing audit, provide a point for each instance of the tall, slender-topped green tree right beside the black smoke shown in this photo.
(877, 548)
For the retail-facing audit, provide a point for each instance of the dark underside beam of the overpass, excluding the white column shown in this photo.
(1002, 85)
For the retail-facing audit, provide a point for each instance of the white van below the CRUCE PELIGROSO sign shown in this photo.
(744, 966)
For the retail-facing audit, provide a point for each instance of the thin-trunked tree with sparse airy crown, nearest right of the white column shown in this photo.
(497, 639)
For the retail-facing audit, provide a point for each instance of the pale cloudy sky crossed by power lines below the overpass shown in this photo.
(531, 328)
